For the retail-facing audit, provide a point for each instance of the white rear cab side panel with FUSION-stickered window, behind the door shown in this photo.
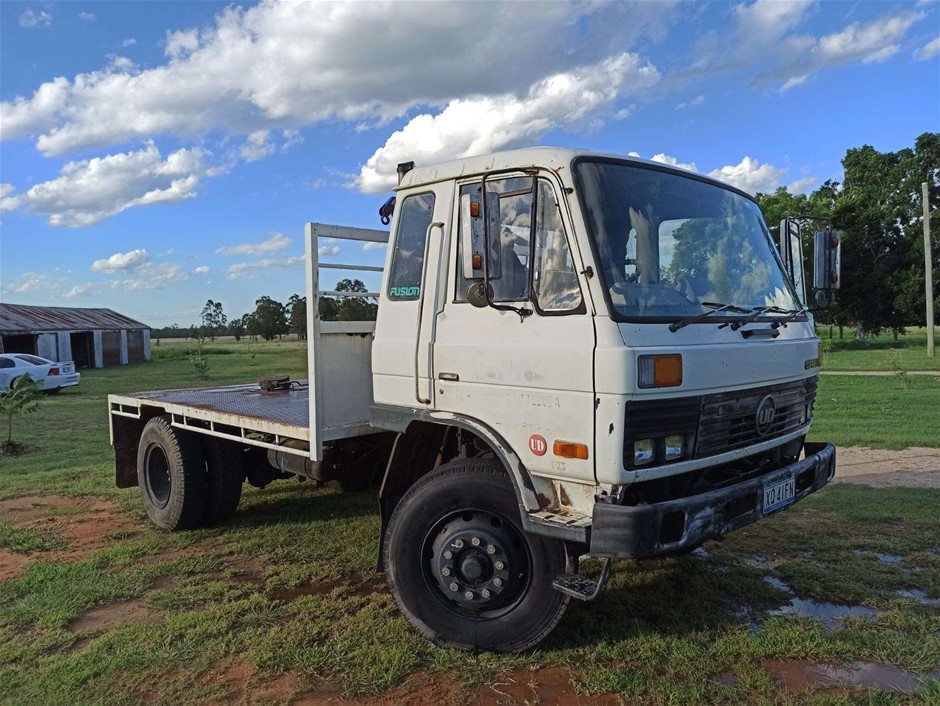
(401, 352)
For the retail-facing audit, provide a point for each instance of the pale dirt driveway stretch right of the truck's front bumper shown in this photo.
(915, 467)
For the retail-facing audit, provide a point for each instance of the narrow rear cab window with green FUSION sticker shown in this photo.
(407, 268)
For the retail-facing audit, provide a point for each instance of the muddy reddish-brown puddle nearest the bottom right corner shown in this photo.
(796, 676)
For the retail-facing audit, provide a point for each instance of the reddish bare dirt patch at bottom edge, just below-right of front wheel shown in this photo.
(554, 685)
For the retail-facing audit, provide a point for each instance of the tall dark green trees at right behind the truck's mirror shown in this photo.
(878, 207)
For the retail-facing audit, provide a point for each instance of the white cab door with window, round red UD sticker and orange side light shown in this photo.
(522, 364)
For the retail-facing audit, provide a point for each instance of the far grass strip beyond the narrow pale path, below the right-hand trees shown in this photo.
(880, 352)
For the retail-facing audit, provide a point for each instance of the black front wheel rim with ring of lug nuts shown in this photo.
(476, 564)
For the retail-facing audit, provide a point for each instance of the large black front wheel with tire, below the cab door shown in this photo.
(472, 499)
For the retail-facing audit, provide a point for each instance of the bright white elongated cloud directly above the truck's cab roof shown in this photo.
(479, 125)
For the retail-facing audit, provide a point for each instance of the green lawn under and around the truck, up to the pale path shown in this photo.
(286, 586)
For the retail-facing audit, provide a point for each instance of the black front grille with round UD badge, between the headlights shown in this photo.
(717, 423)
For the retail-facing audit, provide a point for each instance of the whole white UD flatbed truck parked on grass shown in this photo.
(575, 354)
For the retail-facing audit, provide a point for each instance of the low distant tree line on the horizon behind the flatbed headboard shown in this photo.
(272, 319)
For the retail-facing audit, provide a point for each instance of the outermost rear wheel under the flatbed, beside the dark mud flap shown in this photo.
(171, 472)
